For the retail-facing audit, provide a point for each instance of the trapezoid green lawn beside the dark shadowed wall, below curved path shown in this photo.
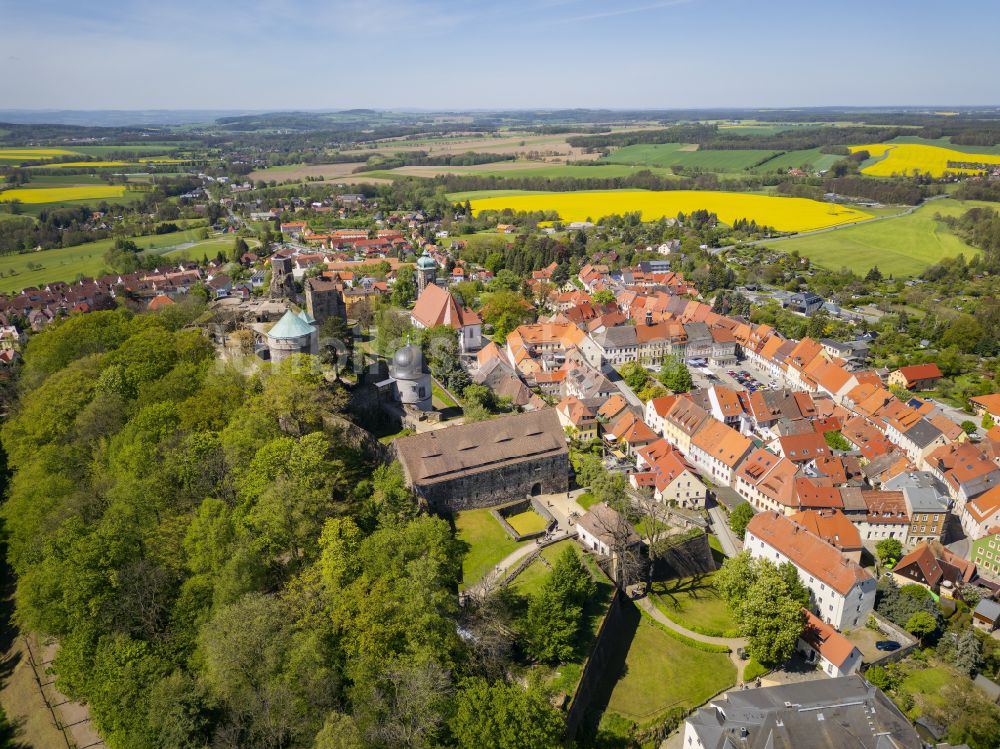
(662, 673)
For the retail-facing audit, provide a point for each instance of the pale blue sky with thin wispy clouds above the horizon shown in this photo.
(466, 54)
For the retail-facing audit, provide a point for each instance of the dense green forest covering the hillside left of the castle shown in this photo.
(225, 566)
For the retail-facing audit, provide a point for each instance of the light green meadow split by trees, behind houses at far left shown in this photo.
(68, 263)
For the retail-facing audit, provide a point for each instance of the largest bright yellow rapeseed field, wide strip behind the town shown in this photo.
(784, 214)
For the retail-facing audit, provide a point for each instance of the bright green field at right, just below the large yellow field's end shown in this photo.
(903, 246)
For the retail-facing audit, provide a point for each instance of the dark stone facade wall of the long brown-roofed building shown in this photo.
(505, 483)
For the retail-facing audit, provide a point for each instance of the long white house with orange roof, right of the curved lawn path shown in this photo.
(843, 592)
